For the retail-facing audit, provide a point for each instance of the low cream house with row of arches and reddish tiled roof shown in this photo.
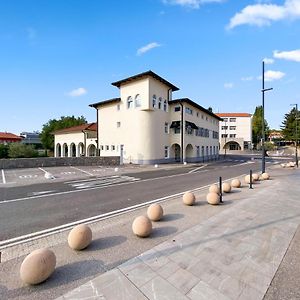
(76, 141)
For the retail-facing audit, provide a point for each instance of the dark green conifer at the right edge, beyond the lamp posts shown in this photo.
(289, 125)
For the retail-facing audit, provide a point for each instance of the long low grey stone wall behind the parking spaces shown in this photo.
(15, 163)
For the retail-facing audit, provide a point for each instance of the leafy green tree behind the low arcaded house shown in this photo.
(52, 125)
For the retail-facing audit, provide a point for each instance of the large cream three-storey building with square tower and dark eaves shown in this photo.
(145, 126)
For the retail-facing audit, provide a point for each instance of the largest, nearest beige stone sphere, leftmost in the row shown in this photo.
(37, 266)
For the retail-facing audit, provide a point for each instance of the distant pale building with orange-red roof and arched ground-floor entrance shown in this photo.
(235, 131)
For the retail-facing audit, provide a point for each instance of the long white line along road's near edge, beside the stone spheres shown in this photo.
(61, 228)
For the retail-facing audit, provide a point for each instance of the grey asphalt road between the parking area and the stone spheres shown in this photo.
(27, 209)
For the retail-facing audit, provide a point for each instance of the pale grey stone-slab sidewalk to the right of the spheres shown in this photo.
(231, 255)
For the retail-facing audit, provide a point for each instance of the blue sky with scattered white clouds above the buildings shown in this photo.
(59, 56)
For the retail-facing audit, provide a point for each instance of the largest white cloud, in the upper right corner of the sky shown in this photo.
(264, 14)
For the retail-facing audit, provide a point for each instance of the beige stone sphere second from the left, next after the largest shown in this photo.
(80, 237)
